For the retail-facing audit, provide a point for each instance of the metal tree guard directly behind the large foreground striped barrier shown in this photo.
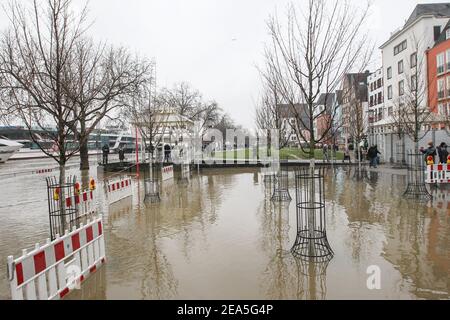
(63, 214)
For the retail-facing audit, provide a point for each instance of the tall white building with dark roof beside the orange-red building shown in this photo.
(406, 49)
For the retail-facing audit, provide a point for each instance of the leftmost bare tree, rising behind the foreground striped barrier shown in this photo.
(35, 55)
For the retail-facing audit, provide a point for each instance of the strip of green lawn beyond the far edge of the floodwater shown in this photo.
(285, 154)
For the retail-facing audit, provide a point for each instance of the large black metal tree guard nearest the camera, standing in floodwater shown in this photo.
(311, 243)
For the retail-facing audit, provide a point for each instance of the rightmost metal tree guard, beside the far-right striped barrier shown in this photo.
(417, 188)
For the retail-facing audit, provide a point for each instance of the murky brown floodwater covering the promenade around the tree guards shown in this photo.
(218, 236)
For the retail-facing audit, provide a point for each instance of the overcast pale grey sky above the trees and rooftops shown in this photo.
(212, 44)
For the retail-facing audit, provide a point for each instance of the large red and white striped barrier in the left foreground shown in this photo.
(51, 271)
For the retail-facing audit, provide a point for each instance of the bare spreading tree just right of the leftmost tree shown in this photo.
(101, 80)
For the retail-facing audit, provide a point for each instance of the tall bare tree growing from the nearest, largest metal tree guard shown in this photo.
(311, 54)
